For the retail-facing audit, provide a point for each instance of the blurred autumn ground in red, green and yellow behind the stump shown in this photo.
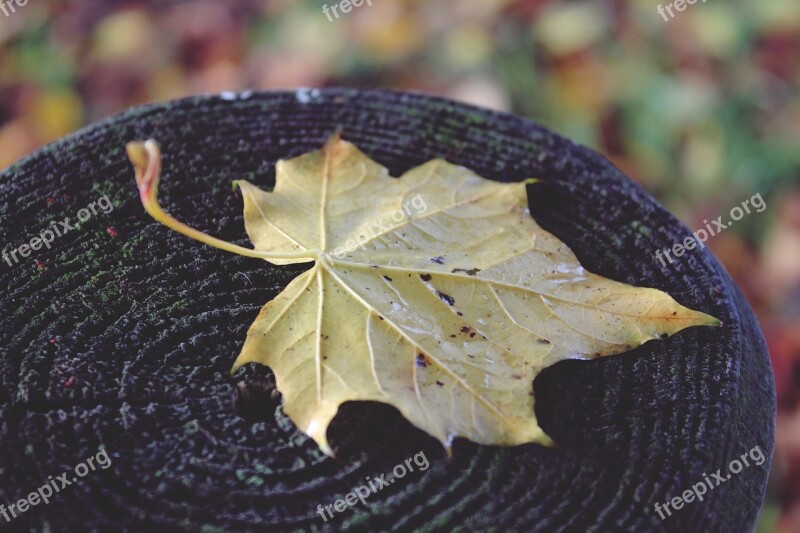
(702, 109)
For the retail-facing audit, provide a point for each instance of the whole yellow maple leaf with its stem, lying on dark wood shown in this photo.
(435, 292)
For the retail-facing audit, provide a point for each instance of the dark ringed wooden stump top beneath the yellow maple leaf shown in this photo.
(122, 335)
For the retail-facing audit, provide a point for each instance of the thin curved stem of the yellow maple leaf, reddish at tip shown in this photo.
(146, 159)
